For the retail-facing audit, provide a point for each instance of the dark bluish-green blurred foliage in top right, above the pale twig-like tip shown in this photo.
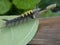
(44, 3)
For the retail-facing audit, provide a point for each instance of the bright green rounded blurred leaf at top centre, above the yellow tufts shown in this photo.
(25, 4)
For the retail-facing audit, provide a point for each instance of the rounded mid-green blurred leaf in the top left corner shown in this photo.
(4, 6)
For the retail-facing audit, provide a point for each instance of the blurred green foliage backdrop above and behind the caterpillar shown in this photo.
(16, 7)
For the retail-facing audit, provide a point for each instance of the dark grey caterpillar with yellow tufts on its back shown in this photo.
(31, 14)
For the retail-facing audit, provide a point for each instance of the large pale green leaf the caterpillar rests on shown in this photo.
(17, 35)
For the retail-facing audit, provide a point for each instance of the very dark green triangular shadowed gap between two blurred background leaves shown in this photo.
(14, 11)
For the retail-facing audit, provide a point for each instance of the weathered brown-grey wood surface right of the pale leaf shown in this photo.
(48, 32)
